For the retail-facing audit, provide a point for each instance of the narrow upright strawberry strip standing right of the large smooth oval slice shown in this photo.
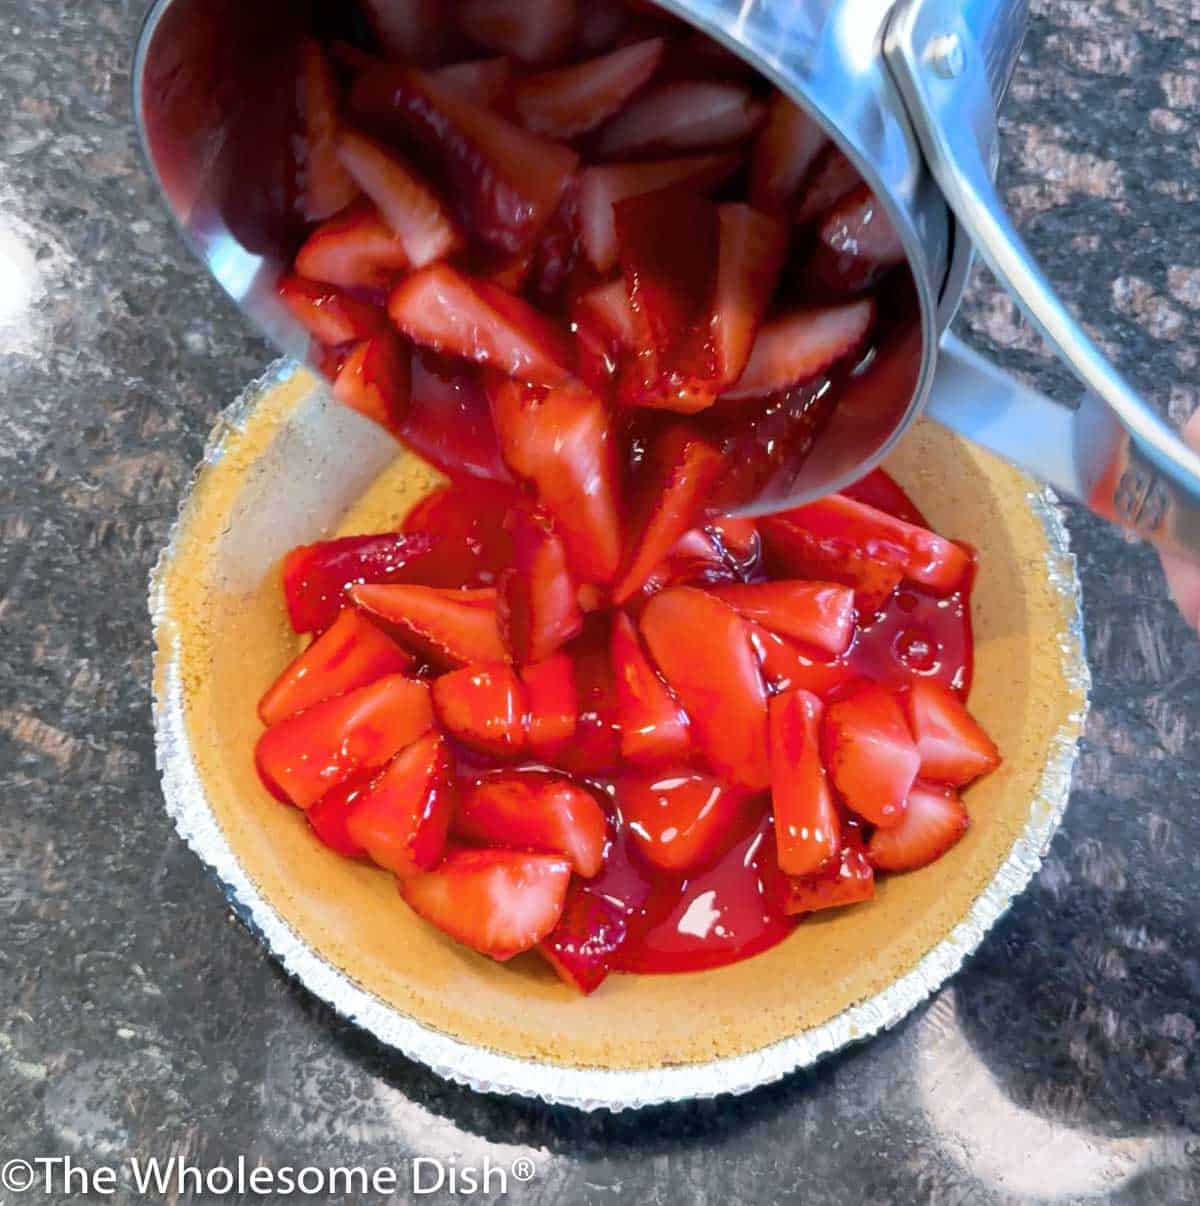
(809, 834)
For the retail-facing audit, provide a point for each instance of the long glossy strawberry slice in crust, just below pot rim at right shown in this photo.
(920, 554)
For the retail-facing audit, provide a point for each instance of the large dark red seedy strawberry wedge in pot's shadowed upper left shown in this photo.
(506, 182)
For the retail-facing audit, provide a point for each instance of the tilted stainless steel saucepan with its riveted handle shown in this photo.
(910, 90)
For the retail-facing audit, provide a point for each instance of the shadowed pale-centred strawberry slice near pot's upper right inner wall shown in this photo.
(686, 116)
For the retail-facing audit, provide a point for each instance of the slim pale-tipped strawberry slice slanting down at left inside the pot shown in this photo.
(405, 201)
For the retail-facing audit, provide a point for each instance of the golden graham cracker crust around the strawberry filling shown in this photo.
(221, 608)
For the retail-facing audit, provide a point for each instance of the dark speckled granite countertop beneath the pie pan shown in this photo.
(138, 1018)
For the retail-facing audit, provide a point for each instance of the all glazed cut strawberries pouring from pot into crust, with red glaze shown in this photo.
(612, 284)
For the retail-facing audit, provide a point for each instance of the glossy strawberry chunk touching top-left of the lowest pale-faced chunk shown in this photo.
(402, 819)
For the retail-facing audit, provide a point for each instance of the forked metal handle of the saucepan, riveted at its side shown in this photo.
(1114, 453)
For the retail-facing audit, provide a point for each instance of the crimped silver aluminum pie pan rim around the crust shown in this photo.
(581, 1087)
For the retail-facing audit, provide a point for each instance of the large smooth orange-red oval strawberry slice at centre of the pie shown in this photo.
(703, 649)
